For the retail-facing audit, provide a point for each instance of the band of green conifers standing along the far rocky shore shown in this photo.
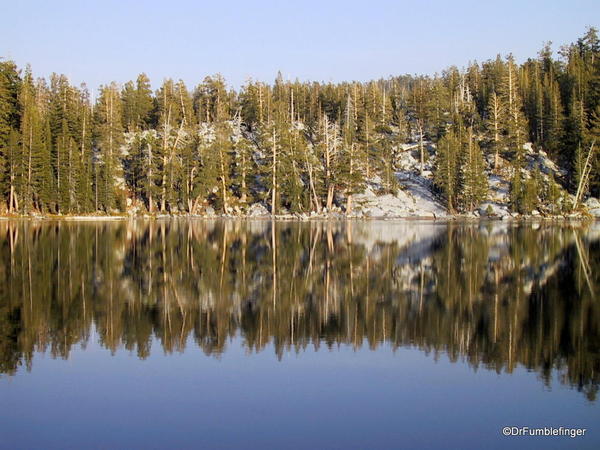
(296, 146)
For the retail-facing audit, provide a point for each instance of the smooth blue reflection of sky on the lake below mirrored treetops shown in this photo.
(324, 399)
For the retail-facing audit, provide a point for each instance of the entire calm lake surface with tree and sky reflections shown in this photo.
(321, 335)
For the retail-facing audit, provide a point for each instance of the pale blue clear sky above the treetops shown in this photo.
(101, 41)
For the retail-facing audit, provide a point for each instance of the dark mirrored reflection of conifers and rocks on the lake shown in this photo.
(491, 294)
